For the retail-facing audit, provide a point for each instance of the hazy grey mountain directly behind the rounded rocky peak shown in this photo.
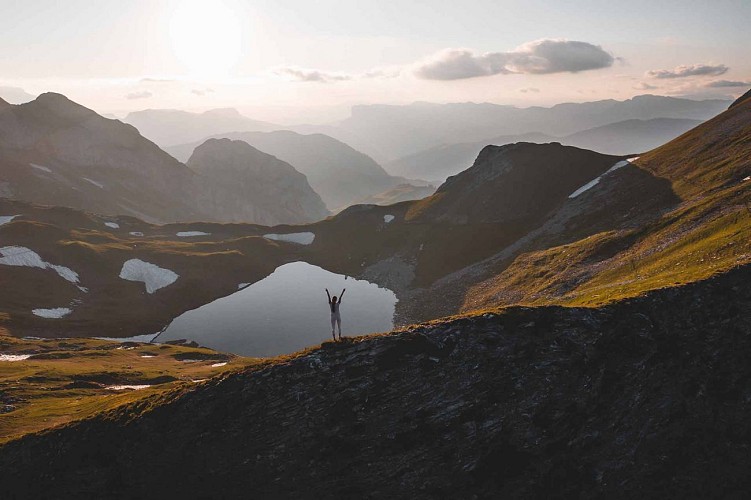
(340, 174)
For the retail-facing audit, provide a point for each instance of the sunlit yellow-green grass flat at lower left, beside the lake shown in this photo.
(41, 393)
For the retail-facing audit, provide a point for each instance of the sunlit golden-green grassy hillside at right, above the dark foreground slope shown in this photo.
(708, 230)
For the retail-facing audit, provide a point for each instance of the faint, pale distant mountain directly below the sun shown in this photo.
(168, 127)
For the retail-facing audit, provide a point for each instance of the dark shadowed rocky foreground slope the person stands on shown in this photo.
(649, 397)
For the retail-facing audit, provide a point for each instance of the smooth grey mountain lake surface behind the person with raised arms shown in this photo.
(285, 312)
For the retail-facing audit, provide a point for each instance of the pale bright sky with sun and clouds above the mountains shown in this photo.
(297, 61)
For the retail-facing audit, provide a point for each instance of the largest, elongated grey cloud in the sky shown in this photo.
(539, 58)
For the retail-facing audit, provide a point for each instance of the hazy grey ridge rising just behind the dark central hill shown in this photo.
(620, 138)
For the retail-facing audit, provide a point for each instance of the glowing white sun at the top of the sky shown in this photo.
(206, 37)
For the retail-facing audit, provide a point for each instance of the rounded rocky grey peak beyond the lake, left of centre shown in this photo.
(279, 192)
